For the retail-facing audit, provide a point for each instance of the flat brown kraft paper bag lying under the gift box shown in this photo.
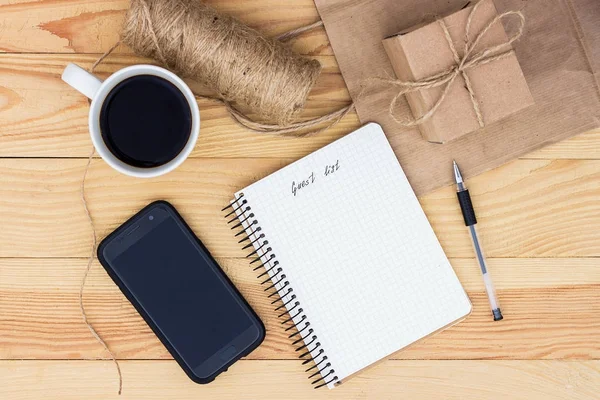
(559, 55)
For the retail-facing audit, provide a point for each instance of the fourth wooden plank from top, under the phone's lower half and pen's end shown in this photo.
(551, 308)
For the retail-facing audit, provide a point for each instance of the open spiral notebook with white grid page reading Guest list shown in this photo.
(340, 239)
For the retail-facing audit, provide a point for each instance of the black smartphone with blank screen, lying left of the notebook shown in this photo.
(179, 289)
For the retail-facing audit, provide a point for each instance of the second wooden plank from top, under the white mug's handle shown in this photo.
(42, 116)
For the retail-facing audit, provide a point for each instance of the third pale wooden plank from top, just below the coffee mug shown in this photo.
(527, 208)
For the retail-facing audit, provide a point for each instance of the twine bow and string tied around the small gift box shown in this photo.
(462, 65)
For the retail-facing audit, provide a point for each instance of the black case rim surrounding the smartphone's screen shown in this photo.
(140, 310)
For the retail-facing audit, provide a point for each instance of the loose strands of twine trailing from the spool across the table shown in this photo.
(239, 118)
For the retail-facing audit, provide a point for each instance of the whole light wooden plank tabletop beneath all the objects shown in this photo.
(539, 217)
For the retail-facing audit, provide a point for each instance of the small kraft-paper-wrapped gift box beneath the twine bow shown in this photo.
(498, 86)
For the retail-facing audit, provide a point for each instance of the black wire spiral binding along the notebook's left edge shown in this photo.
(241, 211)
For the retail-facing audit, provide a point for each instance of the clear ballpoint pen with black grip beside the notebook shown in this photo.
(470, 221)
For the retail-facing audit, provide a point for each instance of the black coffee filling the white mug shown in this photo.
(145, 121)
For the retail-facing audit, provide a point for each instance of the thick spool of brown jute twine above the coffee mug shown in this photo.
(257, 74)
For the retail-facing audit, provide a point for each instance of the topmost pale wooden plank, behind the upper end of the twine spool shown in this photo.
(81, 26)
